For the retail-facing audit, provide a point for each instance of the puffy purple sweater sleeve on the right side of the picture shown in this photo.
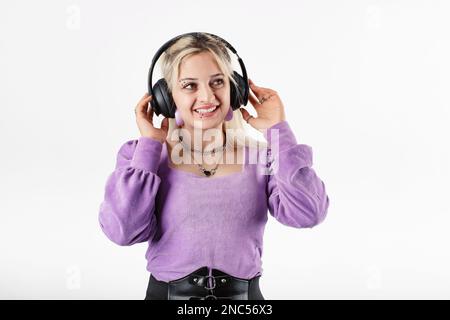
(296, 195)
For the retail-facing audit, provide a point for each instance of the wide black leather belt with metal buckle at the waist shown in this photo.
(200, 285)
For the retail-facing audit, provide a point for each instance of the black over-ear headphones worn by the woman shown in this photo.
(162, 101)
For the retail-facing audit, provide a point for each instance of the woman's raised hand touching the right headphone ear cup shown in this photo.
(268, 106)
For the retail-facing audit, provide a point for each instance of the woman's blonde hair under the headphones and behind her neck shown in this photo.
(186, 46)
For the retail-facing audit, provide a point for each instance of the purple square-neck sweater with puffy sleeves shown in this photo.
(190, 221)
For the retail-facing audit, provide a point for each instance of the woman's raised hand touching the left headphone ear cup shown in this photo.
(144, 120)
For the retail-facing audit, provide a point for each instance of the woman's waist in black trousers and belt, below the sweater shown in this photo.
(205, 284)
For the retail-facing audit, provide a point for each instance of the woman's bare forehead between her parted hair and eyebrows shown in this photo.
(199, 65)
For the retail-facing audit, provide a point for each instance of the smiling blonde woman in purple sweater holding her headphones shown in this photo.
(202, 214)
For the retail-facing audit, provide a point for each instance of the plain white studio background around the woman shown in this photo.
(365, 83)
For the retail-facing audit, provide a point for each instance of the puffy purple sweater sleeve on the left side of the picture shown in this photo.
(127, 212)
